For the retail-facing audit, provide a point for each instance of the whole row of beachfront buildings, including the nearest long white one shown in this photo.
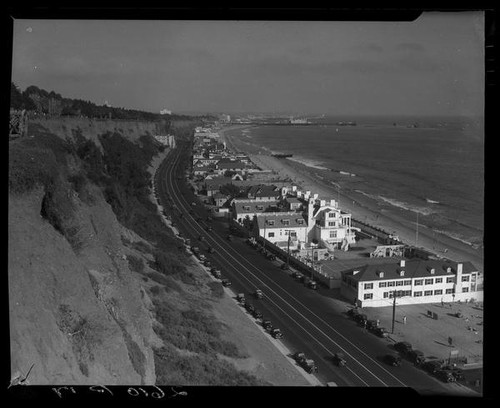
(313, 228)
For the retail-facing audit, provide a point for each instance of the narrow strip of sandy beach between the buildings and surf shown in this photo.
(303, 176)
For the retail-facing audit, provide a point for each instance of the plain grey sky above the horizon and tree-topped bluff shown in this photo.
(431, 66)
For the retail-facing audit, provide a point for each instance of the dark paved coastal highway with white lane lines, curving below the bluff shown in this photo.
(306, 319)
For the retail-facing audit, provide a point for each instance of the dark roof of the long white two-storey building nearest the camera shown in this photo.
(413, 269)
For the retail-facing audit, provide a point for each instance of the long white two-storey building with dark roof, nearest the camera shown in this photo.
(412, 281)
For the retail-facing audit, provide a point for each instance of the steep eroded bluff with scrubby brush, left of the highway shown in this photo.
(98, 291)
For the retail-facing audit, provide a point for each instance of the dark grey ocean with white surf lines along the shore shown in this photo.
(404, 166)
